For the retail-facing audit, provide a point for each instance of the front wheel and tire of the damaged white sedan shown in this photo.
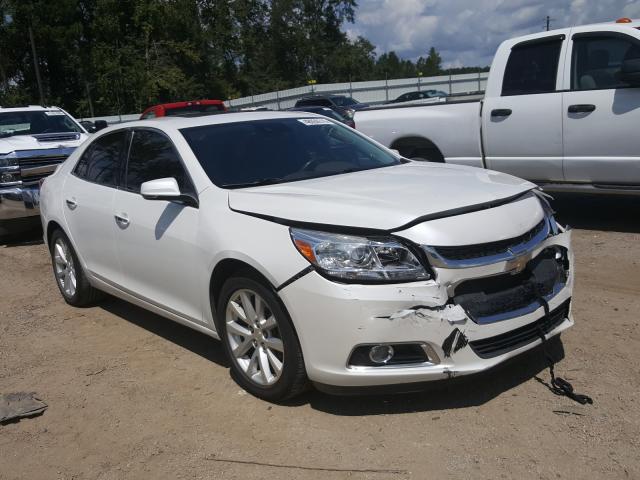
(254, 324)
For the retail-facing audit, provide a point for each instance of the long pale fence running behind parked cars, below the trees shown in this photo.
(374, 92)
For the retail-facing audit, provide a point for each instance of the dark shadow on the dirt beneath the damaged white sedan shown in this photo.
(446, 394)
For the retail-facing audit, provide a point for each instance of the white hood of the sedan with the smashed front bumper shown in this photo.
(382, 199)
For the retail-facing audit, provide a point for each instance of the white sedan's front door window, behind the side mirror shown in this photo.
(152, 156)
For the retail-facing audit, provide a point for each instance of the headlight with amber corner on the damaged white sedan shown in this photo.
(352, 258)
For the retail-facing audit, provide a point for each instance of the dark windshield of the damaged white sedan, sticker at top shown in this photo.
(260, 152)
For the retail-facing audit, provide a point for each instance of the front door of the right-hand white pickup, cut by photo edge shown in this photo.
(601, 112)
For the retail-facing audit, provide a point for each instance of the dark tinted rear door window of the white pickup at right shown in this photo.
(532, 67)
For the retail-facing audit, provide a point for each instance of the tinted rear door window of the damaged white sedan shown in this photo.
(100, 163)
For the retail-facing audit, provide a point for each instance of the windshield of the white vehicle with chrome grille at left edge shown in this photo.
(35, 122)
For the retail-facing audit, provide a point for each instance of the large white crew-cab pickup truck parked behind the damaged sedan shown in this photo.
(561, 108)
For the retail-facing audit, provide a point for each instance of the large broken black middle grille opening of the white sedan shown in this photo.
(483, 298)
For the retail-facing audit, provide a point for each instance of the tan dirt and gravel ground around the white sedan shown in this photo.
(132, 395)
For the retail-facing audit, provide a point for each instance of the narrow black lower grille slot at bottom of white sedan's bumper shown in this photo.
(506, 342)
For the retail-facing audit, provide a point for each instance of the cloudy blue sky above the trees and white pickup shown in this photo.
(467, 32)
